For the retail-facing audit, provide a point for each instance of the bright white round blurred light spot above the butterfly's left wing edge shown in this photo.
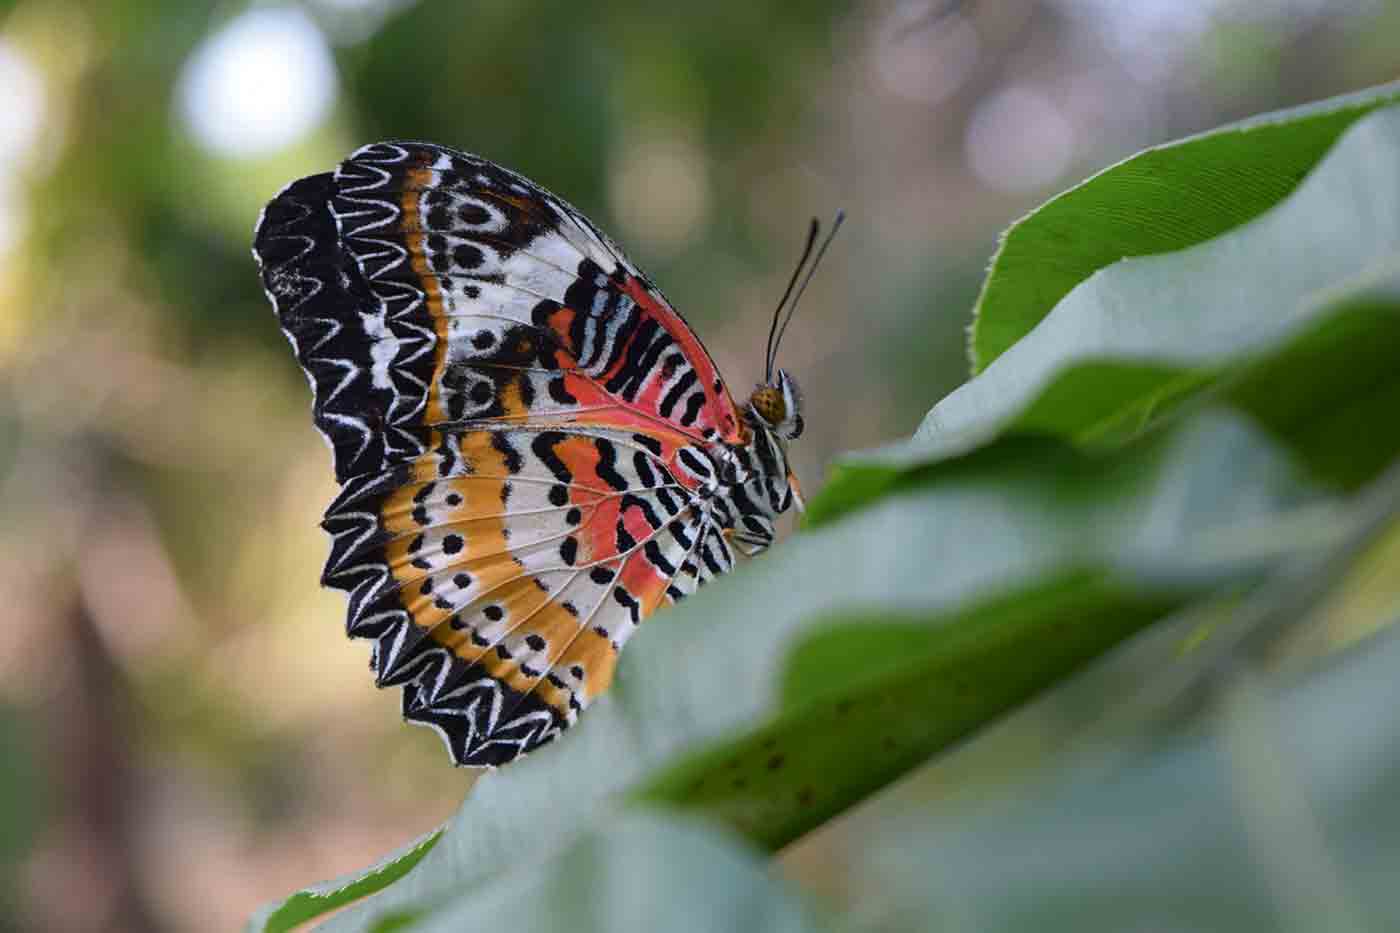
(261, 83)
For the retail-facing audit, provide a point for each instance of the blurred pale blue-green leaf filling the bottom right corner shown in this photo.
(1282, 816)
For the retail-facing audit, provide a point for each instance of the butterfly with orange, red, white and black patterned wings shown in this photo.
(534, 450)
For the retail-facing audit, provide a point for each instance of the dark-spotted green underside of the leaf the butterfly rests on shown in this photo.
(849, 729)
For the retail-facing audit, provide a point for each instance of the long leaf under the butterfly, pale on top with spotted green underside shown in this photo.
(965, 567)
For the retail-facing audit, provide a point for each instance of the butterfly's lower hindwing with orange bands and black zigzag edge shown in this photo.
(484, 575)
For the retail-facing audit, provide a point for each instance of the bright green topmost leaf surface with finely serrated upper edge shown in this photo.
(1160, 201)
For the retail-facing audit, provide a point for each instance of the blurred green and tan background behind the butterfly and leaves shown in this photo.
(184, 732)
